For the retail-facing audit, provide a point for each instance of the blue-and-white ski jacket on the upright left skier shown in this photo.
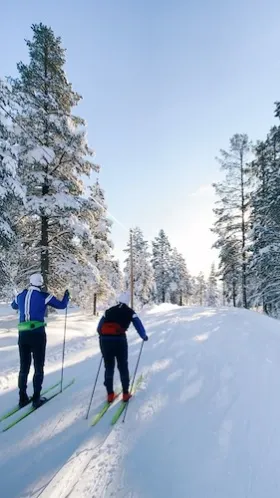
(32, 304)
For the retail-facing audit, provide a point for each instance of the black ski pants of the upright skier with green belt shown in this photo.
(32, 343)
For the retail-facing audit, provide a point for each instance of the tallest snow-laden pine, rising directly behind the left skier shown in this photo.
(53, 160)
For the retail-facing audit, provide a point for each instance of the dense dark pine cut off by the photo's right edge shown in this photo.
(264, 268)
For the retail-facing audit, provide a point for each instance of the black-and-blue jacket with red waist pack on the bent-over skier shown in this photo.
(116, 321)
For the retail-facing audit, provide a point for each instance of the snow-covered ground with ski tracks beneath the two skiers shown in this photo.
(204, 425)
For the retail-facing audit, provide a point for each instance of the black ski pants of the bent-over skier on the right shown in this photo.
(115, 348)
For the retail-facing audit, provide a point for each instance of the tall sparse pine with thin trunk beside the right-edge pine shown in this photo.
(231, 226)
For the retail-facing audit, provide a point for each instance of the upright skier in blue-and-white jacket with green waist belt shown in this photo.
(32, 304)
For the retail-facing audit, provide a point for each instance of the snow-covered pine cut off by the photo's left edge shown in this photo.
(12, 195)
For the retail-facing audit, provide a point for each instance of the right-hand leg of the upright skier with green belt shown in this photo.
(39, 353)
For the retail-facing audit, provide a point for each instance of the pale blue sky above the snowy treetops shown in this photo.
(165, 84)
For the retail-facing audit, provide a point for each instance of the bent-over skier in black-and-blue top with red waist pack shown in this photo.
(113, 343)
